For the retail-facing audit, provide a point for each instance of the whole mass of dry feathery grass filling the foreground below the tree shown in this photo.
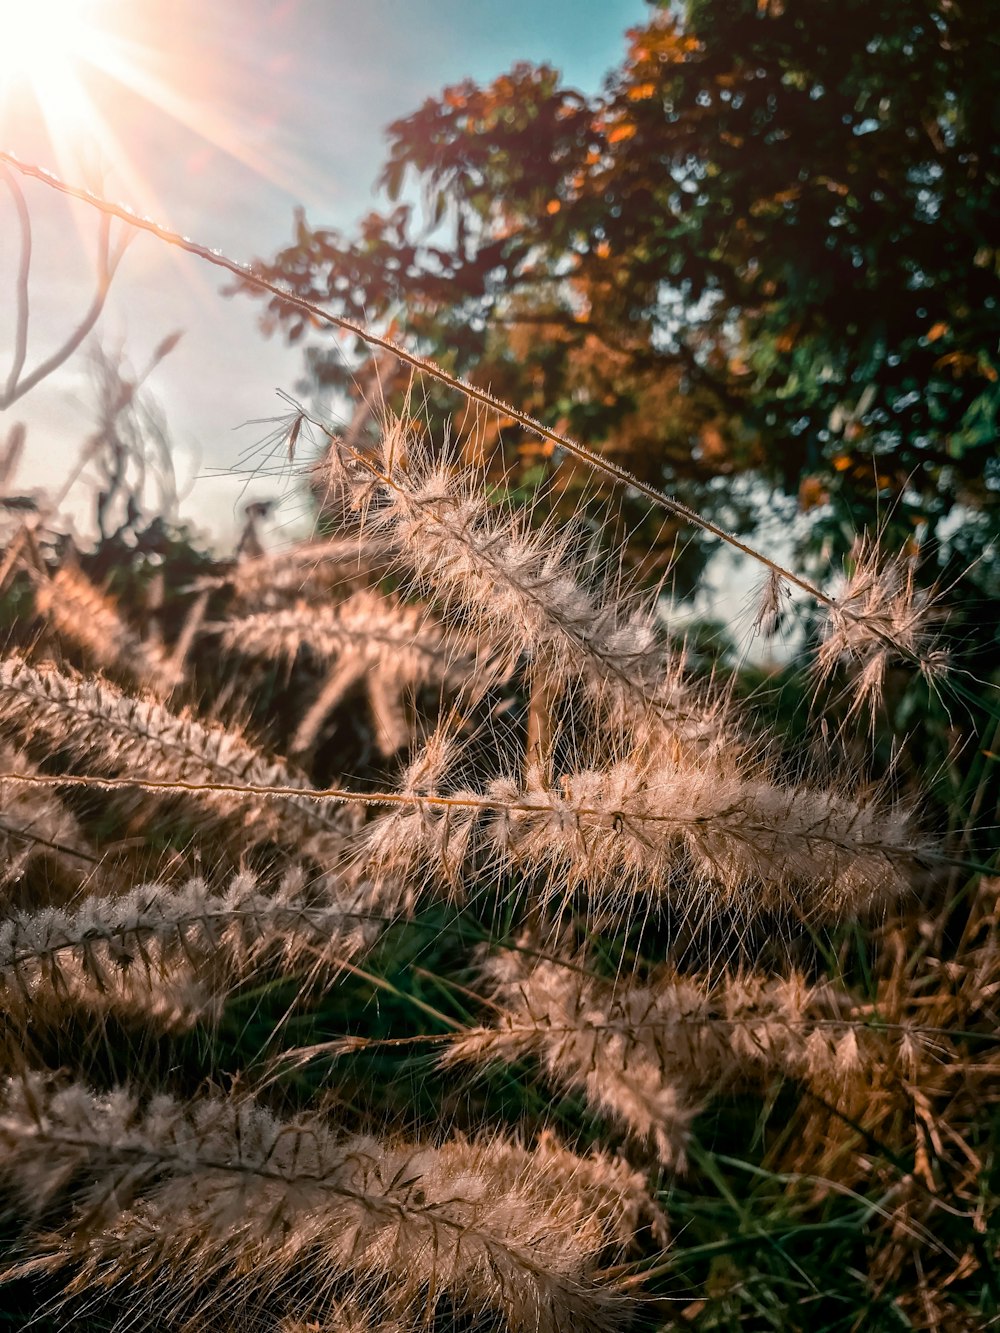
(402, 931)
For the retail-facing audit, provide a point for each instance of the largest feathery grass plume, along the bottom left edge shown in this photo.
(219, 1196)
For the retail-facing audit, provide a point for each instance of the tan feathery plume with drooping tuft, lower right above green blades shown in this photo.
(650, 1055)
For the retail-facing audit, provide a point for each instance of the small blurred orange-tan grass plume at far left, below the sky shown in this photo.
(81, 614)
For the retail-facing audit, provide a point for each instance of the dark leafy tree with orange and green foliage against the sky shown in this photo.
(766, 246)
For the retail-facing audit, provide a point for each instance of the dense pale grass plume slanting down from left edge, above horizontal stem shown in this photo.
(119, 734)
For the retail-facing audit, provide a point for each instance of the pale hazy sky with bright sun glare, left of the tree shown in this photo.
(218, 118)
